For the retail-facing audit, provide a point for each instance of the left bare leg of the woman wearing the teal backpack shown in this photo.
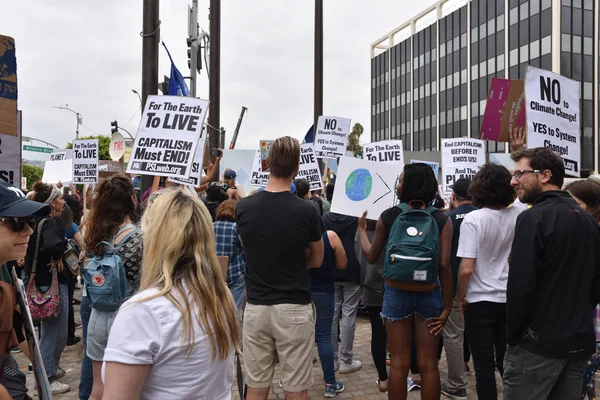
(400, 334)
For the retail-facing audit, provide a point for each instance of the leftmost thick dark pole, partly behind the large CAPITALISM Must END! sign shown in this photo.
(150, 40)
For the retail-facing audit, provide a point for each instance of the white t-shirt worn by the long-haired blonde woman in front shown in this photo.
(150, 332)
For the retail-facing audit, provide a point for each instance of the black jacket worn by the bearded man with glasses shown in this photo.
(554, 279)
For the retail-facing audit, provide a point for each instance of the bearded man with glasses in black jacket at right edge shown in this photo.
(553, 285)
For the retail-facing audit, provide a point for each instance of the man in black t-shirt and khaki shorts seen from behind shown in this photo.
(281, 234)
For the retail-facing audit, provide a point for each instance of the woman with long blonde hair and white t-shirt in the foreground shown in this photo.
(177, 337)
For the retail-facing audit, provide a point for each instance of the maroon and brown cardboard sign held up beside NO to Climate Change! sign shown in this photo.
(504, 109)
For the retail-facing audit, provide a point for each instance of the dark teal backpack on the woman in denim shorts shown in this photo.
(413, 248)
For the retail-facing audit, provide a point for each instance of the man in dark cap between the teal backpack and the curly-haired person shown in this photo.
(453, 334)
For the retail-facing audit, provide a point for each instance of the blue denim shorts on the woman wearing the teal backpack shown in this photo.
(400, 304)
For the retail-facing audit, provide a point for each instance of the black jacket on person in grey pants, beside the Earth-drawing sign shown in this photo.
(345, 226)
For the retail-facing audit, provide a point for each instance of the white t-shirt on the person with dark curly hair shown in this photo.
(487, 235)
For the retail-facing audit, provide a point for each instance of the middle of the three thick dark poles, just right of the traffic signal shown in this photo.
(214, 120)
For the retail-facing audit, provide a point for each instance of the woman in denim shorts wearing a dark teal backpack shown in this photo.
(413, 309)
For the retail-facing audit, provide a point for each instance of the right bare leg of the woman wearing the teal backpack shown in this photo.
(427, 348)
